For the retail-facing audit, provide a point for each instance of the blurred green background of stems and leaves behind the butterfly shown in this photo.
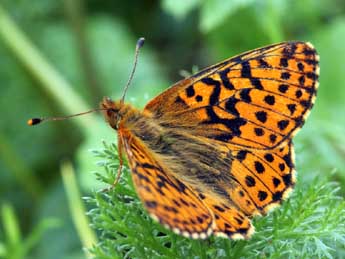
(62, 57)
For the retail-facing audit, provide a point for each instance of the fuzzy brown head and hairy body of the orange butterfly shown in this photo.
(181, 153)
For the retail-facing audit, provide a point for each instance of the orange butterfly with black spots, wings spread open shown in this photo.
(215, 149)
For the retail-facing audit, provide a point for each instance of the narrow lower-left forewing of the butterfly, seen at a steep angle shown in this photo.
(168, 200)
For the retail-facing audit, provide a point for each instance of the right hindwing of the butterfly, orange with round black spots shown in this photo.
(264, 179)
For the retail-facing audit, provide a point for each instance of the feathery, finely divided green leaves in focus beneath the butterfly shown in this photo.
(311, 224)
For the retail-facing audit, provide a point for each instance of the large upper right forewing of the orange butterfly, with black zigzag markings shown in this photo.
(256, 100)
